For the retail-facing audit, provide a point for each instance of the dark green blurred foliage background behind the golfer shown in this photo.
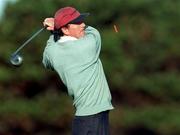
(141, 62)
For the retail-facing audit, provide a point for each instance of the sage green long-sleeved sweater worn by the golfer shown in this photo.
(80, 69)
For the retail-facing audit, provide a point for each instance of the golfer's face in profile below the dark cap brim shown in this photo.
(75, 30)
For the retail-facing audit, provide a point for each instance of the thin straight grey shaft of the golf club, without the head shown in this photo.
(27, 41)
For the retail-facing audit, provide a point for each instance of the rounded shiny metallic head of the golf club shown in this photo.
(16, 60)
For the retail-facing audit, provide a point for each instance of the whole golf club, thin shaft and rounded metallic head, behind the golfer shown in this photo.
(15, 58)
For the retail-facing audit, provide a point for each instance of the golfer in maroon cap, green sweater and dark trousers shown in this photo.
(73, 52)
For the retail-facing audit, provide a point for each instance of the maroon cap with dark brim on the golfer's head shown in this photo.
(68, 15)
